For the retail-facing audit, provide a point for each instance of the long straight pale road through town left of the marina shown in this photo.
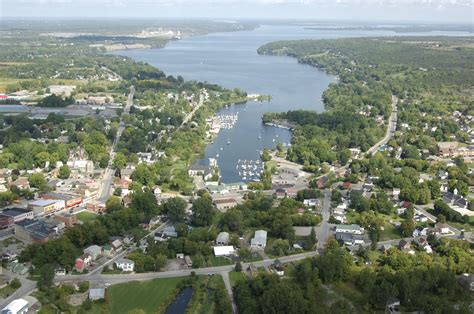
(109, 172)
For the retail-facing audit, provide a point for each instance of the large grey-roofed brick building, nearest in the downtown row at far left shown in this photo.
(36, 231)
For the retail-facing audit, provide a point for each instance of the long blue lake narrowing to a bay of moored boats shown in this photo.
(231, 60)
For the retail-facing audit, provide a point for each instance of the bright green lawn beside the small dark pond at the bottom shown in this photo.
(148, 296)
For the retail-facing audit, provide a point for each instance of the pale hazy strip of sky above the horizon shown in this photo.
(437, 11)
